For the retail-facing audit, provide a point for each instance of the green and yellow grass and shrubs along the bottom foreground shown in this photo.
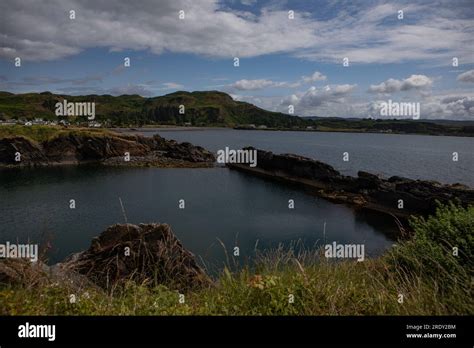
(424, 269)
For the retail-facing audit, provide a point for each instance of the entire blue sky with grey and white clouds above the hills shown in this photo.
(285, 58)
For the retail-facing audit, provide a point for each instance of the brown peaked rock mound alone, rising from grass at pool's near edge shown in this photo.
(147, 253)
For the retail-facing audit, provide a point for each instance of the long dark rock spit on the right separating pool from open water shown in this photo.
(366, 190)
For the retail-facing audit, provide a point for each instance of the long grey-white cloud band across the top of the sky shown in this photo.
(210, 29)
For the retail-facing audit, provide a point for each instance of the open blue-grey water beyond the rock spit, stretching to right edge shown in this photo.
(413, 156)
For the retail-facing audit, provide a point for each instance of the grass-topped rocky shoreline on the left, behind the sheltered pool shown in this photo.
(106, 149)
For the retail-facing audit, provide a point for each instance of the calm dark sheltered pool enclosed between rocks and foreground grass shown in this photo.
(219, 205)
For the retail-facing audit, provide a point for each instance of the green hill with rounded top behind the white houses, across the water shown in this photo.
(210, 108)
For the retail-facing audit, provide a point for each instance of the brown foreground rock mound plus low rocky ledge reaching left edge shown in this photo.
(147, 254)
